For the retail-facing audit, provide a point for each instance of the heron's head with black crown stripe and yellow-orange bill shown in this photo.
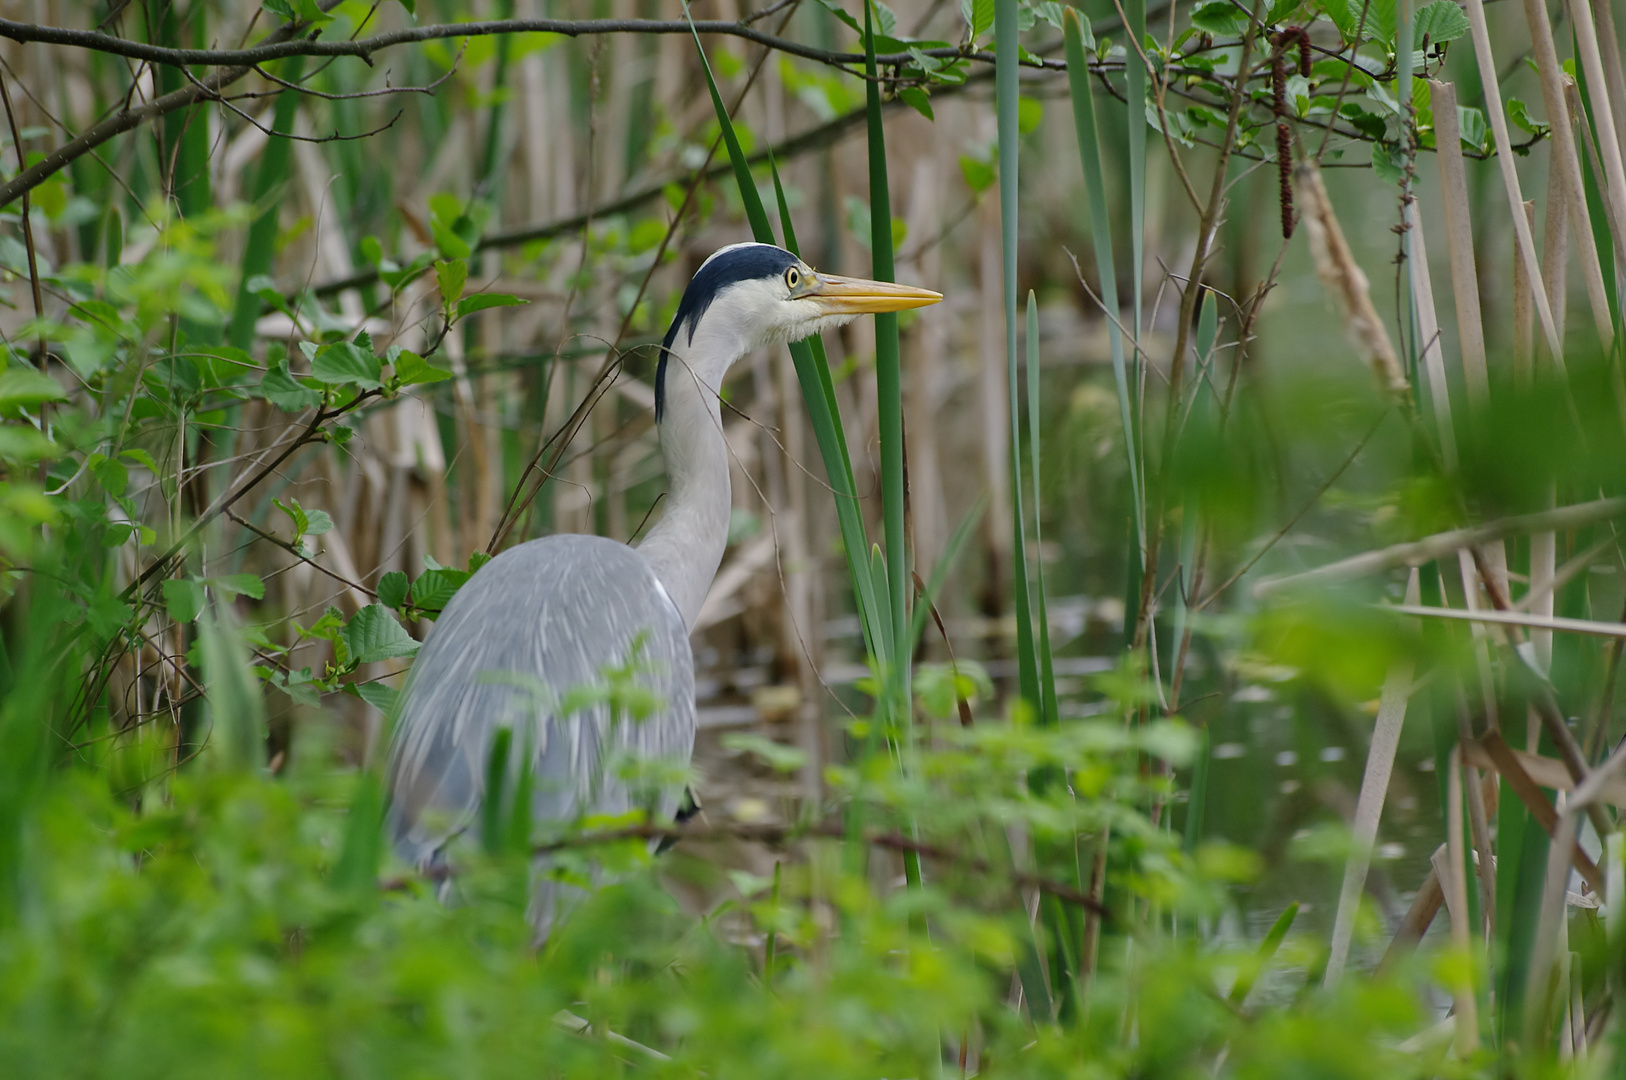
(752, 295)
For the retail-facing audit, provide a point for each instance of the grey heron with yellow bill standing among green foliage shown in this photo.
(555, 616)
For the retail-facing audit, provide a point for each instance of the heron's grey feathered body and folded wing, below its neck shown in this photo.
(533, 625)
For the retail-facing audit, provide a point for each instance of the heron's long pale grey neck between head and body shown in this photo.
(685, 547)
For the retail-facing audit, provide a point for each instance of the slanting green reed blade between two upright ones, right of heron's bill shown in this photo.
(1102, 232)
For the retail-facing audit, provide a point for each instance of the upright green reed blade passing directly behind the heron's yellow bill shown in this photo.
(889, 378)
